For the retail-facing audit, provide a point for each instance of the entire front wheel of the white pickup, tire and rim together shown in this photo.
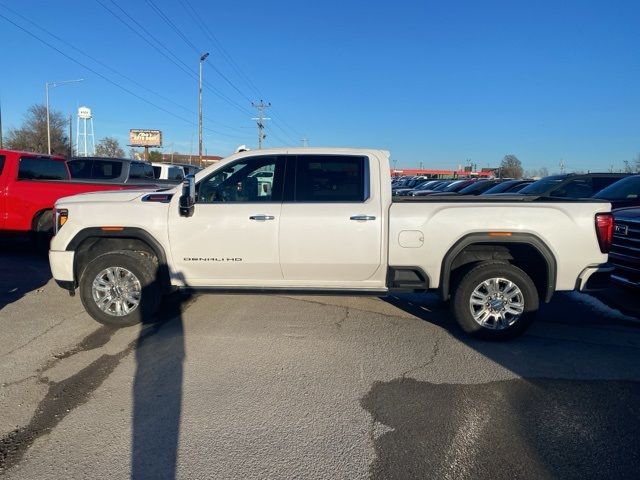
(120, 288)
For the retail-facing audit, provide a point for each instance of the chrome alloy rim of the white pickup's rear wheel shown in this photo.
(496, 303)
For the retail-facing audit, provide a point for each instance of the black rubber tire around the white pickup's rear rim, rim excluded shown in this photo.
(472, 278)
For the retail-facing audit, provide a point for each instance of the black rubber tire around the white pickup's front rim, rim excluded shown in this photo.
(142, 267)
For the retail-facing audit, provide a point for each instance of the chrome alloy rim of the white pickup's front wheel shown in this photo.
(116, 291)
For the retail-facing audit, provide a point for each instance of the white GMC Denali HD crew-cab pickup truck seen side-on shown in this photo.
(315, 220)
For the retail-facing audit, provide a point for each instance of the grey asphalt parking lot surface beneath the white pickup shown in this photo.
(246, 386)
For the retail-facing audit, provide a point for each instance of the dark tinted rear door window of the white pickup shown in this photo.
(329, 178)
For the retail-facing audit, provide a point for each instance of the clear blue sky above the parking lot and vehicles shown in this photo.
(433, 82)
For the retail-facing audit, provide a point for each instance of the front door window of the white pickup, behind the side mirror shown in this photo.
(257, 179)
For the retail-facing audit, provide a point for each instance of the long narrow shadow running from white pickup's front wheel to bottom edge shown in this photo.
(157, 390)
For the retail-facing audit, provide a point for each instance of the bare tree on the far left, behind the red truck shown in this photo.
(32, 135)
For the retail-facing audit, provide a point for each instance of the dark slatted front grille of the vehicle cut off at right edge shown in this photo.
(625, 253)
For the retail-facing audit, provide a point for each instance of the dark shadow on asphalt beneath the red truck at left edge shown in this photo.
(23, 268)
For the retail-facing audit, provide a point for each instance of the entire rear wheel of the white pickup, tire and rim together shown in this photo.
(495, 301)
